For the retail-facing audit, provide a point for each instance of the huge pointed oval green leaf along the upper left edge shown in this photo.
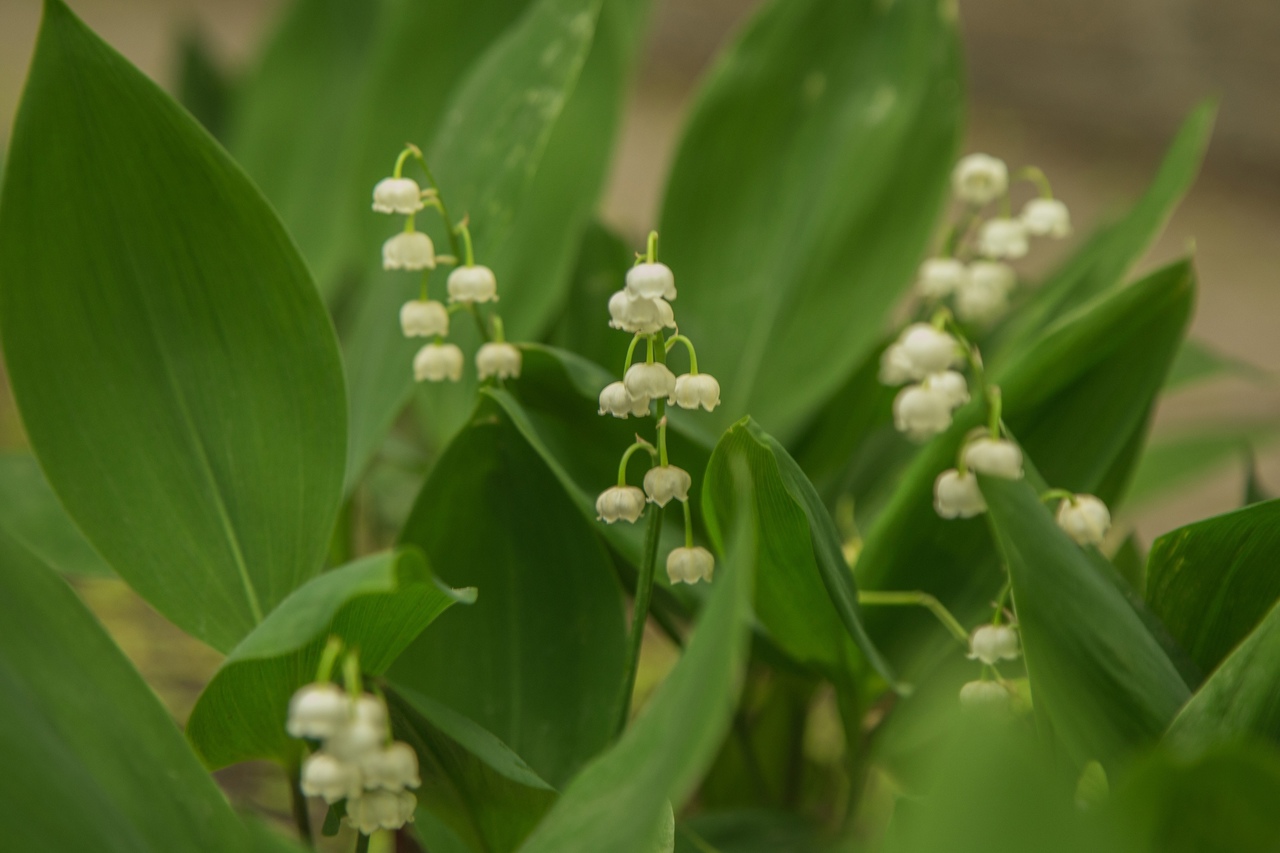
(196, 427)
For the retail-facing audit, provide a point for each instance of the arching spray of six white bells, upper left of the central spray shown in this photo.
(469, 285)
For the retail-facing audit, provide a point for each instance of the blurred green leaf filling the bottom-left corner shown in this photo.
(93, 763)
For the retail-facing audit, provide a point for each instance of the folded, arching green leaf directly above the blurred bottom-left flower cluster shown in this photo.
(377, 605)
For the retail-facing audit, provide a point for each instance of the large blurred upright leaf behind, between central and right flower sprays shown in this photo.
(804, 193)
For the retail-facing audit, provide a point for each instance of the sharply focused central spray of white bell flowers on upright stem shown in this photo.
(643, 308)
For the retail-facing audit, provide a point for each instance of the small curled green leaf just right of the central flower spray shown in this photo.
(804, 590)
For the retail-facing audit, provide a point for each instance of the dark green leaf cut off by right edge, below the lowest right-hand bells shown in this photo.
(1212, 582)
